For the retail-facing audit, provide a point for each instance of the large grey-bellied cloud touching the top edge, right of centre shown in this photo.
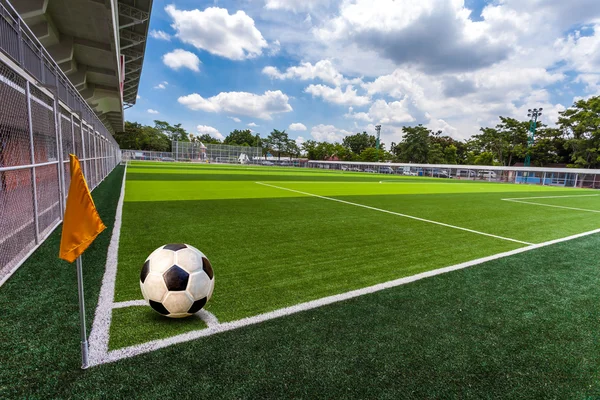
(433, 35)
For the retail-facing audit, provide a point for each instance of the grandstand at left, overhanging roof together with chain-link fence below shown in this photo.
(68, 70)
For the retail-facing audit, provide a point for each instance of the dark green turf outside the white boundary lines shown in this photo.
(525, 326)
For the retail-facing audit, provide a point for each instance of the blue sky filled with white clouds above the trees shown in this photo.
(323, 69)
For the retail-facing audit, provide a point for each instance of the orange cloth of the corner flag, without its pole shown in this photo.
(82, 224)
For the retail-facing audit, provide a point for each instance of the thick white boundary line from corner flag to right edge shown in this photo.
(132, 351)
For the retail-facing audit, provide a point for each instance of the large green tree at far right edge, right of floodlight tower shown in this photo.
(581, 125)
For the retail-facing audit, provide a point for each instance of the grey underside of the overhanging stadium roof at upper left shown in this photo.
(86, 39)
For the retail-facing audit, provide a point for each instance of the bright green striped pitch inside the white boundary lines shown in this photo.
(278, 237)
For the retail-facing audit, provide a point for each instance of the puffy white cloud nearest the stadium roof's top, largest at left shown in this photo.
(214, 30)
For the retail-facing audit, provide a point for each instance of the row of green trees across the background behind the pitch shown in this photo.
(574, 141)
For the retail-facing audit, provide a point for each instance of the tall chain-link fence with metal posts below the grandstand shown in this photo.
(42, 119)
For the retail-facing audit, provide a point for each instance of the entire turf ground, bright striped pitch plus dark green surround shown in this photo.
(521, 323)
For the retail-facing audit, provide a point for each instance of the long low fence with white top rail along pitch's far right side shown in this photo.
(568, 177)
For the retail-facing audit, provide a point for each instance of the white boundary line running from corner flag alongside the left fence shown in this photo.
(99, 335)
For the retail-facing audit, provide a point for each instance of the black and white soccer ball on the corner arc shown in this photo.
(177, 280)
